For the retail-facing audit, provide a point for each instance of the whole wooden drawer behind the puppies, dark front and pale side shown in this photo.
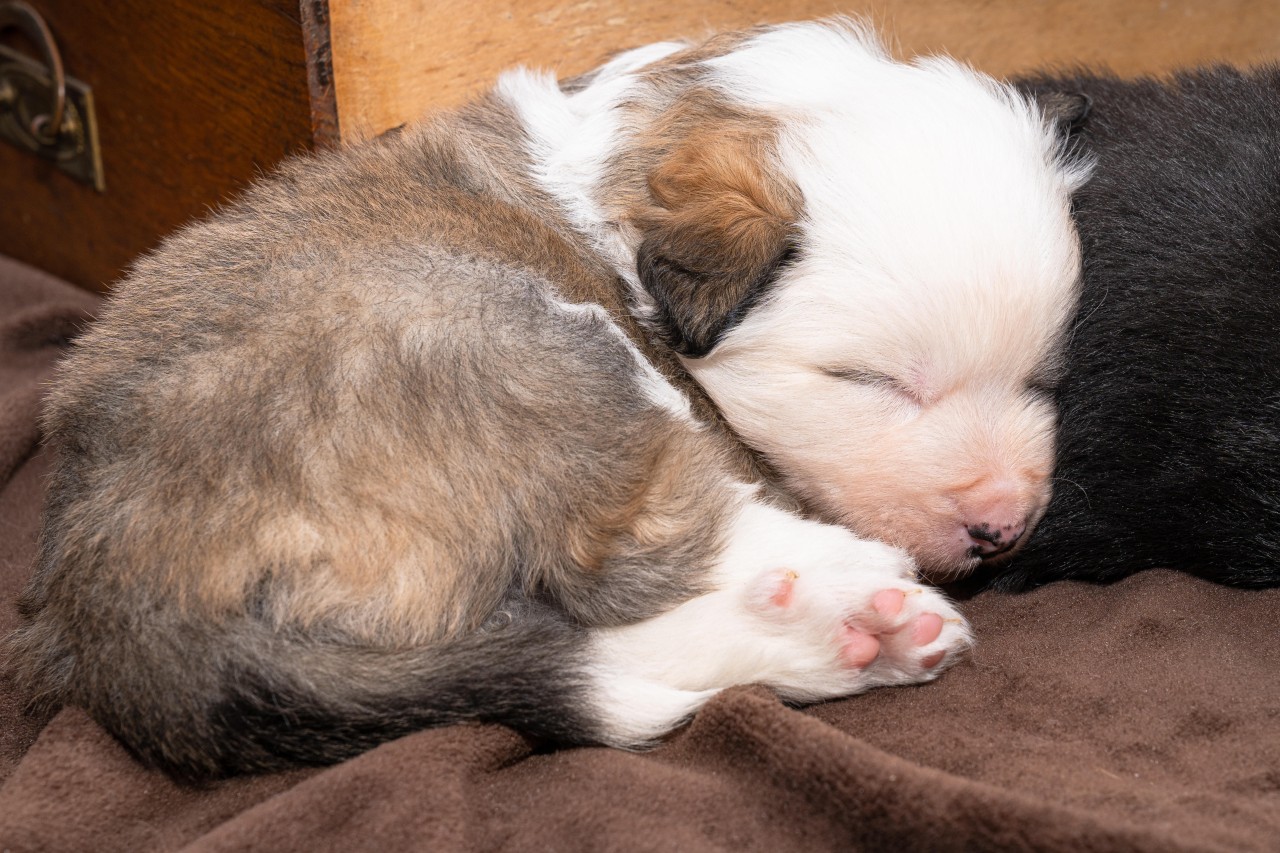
(195, 98)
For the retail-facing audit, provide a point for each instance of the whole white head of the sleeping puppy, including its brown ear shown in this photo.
(868, 266)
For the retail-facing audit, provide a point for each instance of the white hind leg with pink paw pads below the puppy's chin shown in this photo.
(804, 608)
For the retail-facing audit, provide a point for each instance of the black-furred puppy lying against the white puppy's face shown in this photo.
(1171, 432)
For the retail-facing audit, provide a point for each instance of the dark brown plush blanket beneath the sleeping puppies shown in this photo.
(1139, 717)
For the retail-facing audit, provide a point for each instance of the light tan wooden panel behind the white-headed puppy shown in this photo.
(394, 60)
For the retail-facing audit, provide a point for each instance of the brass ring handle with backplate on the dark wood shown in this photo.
(43, 111)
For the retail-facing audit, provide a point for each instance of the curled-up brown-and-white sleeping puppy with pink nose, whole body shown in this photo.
(451, 426)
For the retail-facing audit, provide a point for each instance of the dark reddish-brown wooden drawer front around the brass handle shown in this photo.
(194, 99)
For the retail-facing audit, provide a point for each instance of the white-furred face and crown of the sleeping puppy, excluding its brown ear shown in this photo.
(898, 371)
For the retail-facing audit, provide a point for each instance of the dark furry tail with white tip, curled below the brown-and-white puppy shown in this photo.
(250, 700)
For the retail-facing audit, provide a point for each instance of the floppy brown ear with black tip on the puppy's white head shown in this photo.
(721, 231)
